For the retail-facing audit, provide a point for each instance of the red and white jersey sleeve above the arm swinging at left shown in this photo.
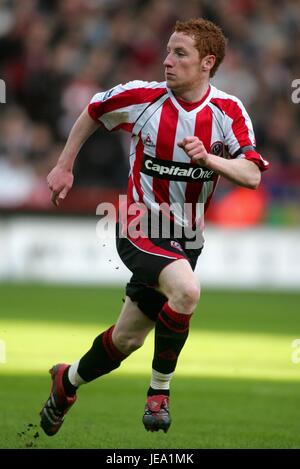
(121, 106)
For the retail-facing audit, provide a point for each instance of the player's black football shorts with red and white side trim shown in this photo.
(146, 258)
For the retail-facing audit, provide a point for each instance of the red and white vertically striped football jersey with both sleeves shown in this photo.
(160, 171)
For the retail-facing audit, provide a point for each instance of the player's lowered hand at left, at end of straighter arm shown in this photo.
(60, 181)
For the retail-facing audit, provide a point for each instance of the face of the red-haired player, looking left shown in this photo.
(183, 67)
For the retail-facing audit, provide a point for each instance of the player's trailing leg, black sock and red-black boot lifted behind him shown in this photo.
(109, 349)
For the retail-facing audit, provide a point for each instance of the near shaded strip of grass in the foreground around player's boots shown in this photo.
(207, 413)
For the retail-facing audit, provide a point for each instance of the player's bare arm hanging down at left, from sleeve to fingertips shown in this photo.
(60, 179)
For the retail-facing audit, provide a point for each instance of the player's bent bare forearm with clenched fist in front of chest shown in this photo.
(240, 171)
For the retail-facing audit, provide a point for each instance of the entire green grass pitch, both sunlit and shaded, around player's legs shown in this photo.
(236, 385)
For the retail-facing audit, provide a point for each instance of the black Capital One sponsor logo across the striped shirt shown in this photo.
(175, 170)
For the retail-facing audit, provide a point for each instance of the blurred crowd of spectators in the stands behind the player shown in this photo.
(56, 54)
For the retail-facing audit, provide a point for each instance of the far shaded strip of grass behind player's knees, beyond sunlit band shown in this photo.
(242, 311)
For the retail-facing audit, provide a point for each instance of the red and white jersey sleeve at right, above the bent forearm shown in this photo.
(239, 134)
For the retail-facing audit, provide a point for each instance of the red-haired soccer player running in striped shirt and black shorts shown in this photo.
(185, 134)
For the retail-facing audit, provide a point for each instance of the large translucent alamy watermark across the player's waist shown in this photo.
(138, 220)
